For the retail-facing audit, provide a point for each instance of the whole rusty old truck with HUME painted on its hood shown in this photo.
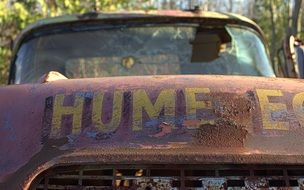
(149, 100)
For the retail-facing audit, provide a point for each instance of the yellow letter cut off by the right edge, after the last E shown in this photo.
(298, 108)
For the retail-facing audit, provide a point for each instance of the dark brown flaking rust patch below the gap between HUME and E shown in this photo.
(223, 133)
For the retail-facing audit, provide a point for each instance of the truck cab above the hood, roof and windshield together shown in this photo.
(97, 45)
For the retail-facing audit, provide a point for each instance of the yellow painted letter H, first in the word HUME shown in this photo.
(59, 110)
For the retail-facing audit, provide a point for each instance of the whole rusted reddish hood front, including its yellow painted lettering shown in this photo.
(153, 119)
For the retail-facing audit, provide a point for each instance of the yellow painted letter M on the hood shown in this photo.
(141, 101)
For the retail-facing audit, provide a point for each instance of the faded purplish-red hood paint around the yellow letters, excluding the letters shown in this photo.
(27, 148)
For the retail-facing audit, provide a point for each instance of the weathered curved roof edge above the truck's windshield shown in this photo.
(129, 15)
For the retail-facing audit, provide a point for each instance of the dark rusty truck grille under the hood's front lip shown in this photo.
(146, 177)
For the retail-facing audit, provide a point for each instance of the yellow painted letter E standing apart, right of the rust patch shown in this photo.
(268, 108)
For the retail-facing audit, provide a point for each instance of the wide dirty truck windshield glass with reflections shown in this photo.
(144, 50)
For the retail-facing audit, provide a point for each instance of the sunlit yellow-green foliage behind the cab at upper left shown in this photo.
(15, 15)
